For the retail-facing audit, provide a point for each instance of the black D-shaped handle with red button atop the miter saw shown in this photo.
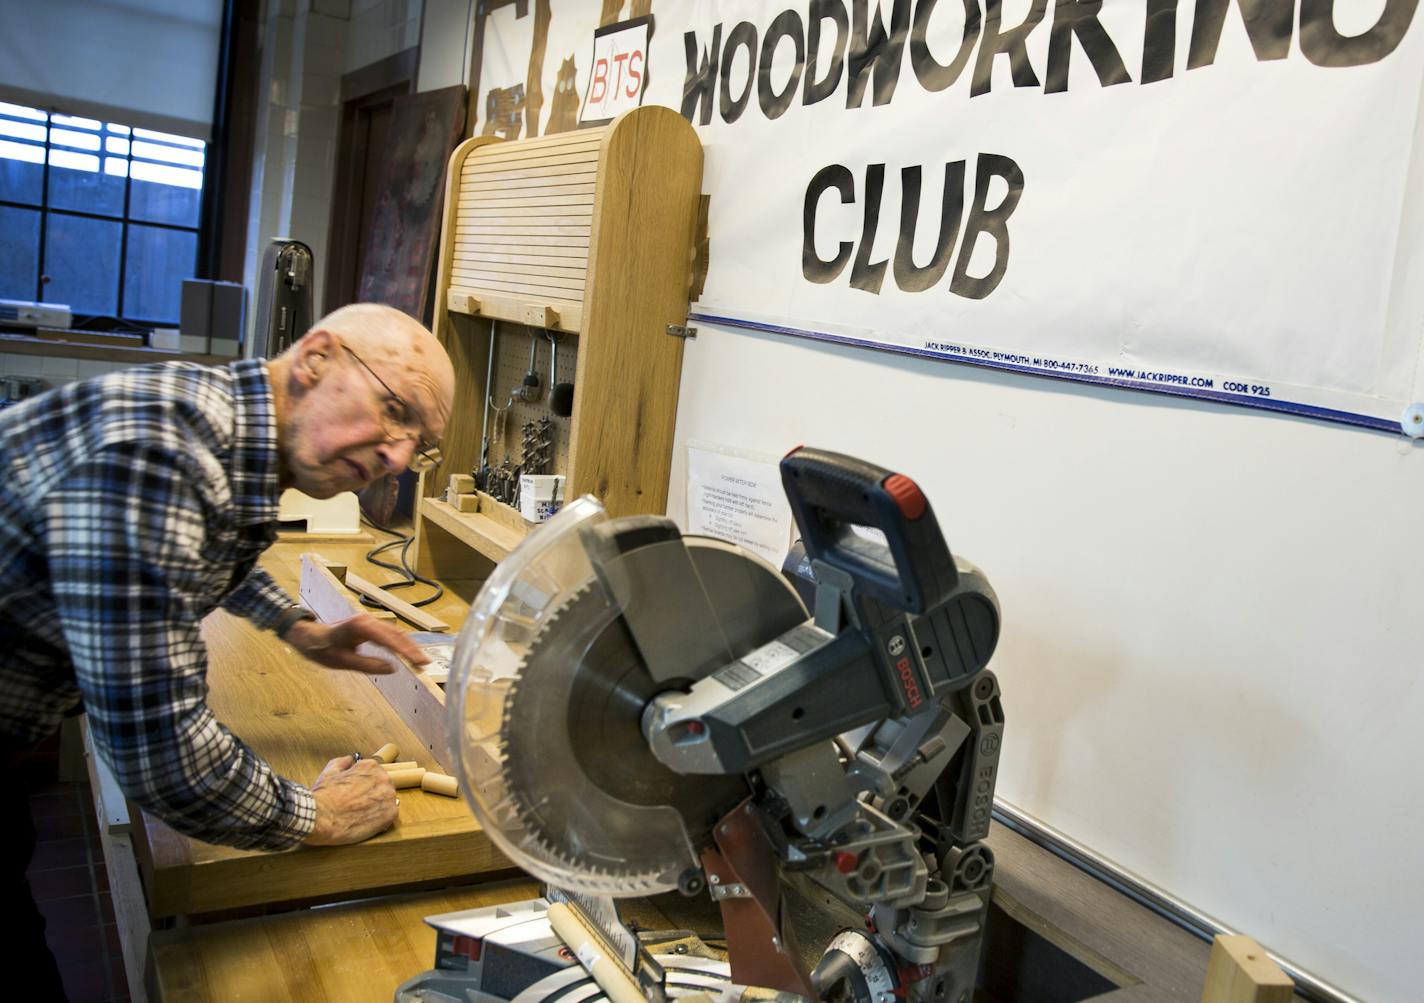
(831, 494)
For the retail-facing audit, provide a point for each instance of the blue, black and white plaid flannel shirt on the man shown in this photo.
(130, 508)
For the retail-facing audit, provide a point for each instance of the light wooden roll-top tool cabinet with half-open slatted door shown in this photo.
(586, 237)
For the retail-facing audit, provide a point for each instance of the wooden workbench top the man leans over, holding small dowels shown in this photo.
(298, 716)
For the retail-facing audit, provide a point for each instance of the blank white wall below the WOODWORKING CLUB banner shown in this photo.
(1213, 626)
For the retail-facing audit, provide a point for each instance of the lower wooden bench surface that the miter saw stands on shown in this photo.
(1056, 935)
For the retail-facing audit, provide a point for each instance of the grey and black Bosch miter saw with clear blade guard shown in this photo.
(636, 712)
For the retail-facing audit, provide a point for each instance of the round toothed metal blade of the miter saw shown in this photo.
(579, 771)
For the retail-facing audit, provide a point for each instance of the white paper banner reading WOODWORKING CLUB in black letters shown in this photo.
(1154, 194)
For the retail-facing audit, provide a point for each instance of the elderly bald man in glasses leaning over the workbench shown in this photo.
(136, 504)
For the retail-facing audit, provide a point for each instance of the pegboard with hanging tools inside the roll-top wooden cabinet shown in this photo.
(512, 357)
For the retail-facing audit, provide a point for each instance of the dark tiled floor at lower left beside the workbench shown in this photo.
(72, 888)
